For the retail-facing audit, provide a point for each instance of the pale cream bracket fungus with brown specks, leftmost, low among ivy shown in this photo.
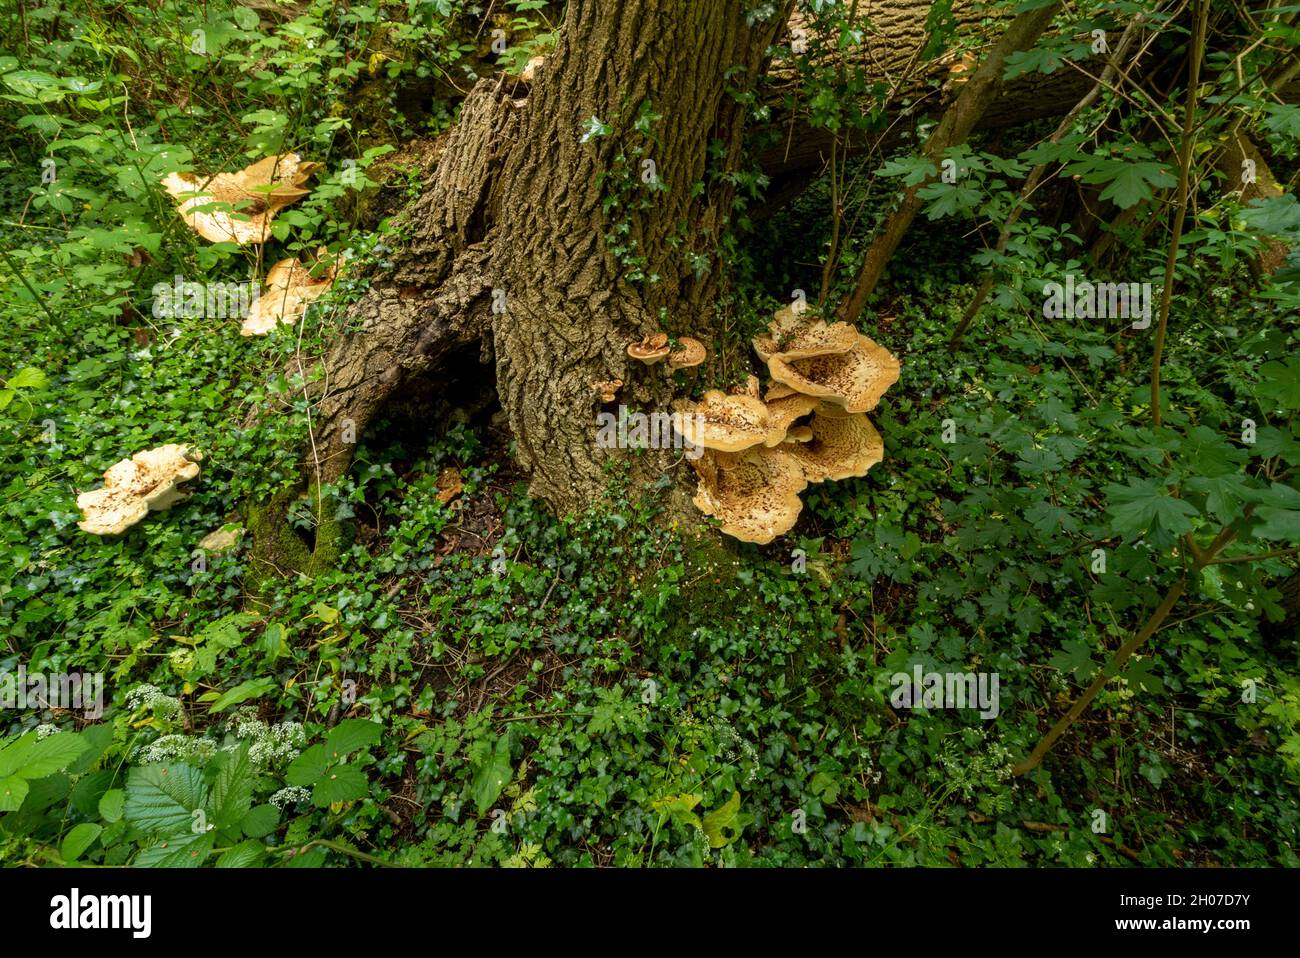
(149, 482)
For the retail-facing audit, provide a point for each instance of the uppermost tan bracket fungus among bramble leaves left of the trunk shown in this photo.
(255, 196)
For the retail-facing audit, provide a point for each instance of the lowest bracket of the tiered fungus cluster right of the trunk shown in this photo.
(755, 493)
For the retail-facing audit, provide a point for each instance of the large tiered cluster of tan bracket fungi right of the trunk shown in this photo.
(760, 454)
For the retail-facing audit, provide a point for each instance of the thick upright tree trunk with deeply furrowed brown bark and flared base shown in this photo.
(509, 245)
